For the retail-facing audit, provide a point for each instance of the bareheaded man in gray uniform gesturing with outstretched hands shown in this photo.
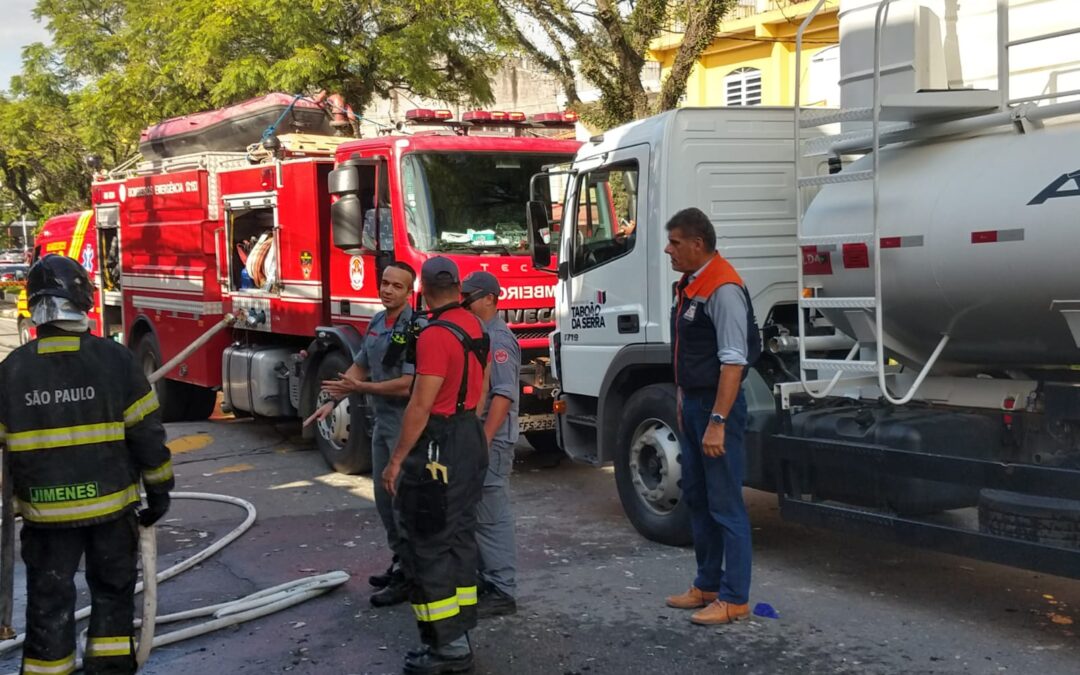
(383, 372)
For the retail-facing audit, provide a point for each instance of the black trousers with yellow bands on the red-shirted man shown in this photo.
(440, 524)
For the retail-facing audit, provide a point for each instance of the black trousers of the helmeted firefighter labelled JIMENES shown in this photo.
(52, 559)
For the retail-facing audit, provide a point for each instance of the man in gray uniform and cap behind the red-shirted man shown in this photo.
(495, 520)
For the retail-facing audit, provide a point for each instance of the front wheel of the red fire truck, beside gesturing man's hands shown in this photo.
(345, 437)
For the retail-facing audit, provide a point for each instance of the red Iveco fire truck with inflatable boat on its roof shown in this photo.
(253, 233)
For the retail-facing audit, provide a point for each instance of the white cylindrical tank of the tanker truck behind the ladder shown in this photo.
(981, 239)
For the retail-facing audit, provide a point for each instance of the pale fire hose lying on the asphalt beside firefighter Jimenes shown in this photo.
(254, 606)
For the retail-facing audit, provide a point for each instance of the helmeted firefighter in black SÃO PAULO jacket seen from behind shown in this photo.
(82, 427)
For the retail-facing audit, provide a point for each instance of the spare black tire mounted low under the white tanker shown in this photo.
(1043, 520)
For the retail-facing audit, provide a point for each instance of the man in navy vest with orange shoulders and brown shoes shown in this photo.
(715, 342)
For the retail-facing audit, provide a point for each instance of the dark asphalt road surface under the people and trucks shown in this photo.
(591, 589)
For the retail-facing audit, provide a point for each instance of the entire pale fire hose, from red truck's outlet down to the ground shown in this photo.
(256, 605)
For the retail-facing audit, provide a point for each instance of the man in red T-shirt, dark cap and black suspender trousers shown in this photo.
(441, 461)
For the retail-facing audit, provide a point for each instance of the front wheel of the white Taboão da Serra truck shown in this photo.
(649, 469)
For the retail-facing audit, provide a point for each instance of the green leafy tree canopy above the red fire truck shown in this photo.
(117, 66)
